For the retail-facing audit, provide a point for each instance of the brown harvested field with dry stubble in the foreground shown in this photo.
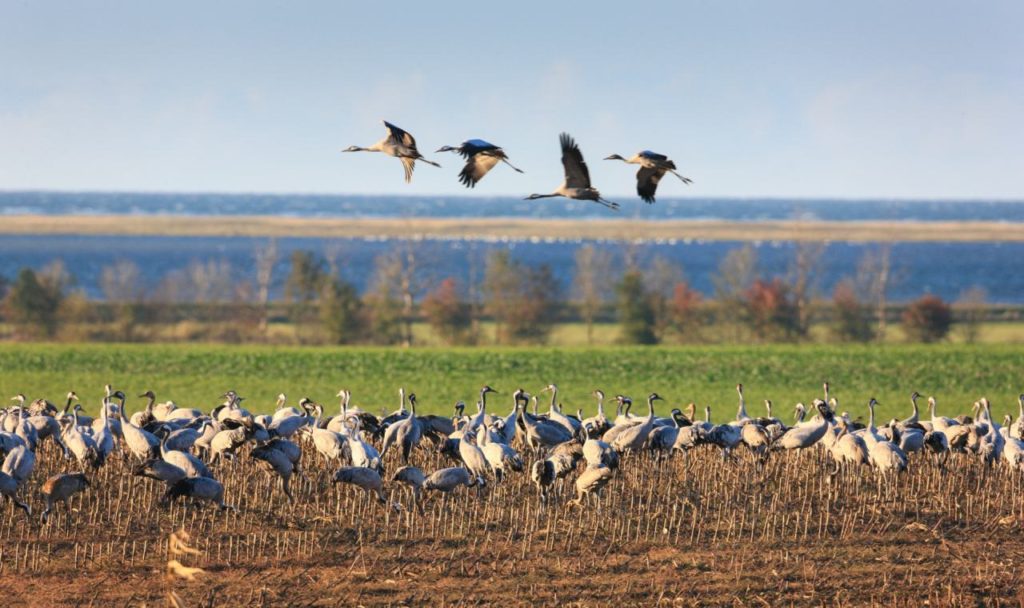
(692, 531)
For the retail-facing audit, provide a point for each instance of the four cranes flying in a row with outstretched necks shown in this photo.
(482, 157)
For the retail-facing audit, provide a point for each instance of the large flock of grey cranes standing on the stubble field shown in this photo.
(182, 448)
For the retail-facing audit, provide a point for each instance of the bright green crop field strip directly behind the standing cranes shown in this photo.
(197, 375)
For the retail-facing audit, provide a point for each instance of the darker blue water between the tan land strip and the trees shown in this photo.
(946, 270)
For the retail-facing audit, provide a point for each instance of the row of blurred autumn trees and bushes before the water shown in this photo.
(518, 303)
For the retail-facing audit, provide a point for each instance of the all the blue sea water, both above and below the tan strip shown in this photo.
(945, 270)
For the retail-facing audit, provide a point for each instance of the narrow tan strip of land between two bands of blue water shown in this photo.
(613, 229)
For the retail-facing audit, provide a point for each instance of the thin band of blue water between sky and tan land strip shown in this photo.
(353, 206)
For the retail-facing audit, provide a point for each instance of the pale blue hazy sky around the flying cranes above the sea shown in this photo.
(911, 100)
